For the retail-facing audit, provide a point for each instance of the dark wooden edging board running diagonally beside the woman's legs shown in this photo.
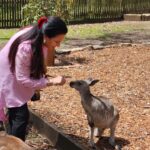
(53, 134)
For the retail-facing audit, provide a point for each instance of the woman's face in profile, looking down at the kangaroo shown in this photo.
(54, 41)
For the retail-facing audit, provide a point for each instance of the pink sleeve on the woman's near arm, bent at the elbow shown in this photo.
(22, 68)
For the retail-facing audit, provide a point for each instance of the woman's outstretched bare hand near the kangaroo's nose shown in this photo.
(59, 80)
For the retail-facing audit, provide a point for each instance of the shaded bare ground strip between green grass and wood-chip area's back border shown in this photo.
(141, 36)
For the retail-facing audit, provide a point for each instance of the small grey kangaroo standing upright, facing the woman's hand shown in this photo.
(101, 114)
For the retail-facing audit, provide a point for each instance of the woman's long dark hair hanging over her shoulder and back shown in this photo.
(51, 28)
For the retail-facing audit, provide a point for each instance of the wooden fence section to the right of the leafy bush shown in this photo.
(105, 10)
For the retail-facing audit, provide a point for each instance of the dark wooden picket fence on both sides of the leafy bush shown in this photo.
(82, 10)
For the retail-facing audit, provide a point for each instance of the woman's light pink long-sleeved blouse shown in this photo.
(17, 88)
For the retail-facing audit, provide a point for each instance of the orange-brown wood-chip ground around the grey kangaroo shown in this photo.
(124, 73)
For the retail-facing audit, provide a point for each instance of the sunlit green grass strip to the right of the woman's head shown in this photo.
(104, 30)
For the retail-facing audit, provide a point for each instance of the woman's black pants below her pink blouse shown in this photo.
(18, 121)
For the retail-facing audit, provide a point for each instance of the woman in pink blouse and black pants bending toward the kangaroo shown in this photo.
(22, 69)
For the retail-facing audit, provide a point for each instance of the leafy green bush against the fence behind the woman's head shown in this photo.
(35, 9)
